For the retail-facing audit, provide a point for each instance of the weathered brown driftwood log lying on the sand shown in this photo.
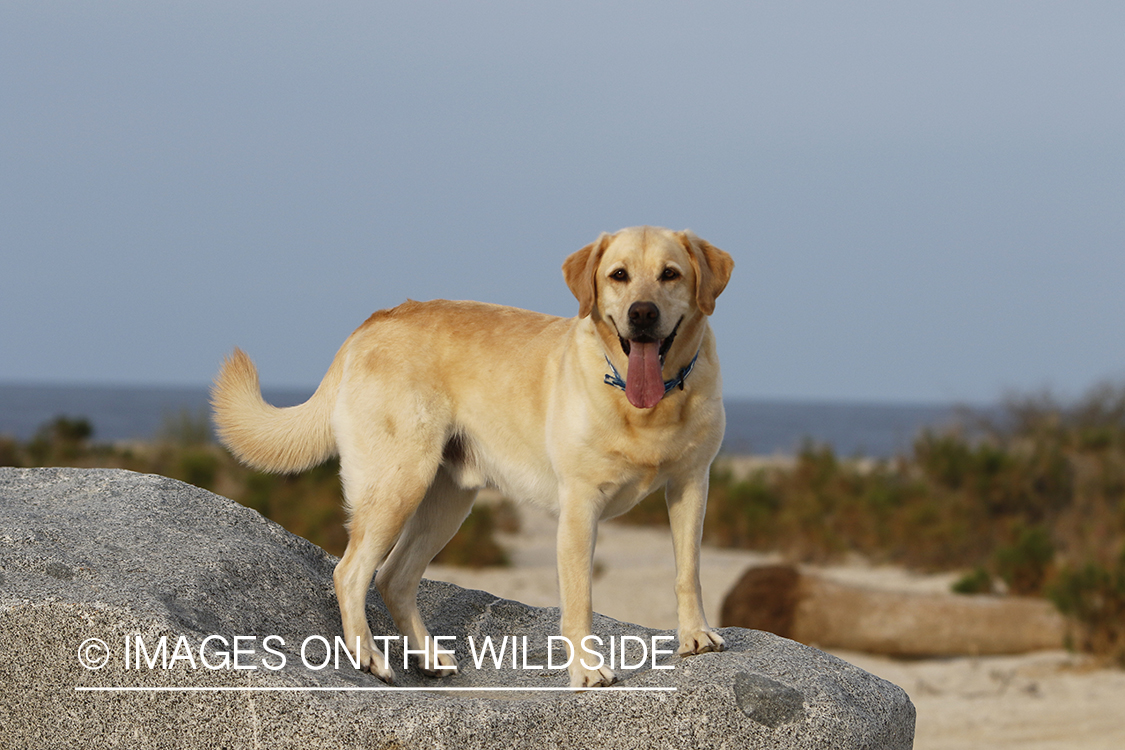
(829, 615)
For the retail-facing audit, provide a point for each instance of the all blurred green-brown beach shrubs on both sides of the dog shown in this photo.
(1029, 500)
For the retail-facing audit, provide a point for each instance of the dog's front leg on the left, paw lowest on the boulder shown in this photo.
(577, 536)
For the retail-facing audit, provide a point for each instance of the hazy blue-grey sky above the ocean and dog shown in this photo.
(925, 202)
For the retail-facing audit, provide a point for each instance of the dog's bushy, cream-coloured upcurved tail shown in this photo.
(267, 438)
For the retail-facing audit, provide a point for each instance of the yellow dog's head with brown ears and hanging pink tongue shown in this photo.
(645, 288)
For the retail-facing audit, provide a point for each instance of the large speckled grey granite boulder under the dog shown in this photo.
(128, 558)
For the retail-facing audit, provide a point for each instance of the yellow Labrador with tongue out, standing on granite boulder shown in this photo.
(428, 403)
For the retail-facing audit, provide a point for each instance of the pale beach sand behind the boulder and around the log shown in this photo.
(1043, 701)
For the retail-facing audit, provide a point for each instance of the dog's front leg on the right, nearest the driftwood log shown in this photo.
(687, 507)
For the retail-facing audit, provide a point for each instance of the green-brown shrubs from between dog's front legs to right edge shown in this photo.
(1030, 500)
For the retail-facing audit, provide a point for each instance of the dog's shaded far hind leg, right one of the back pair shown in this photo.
(434, 525)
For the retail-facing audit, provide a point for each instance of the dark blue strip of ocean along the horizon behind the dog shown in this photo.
(121, 413)
